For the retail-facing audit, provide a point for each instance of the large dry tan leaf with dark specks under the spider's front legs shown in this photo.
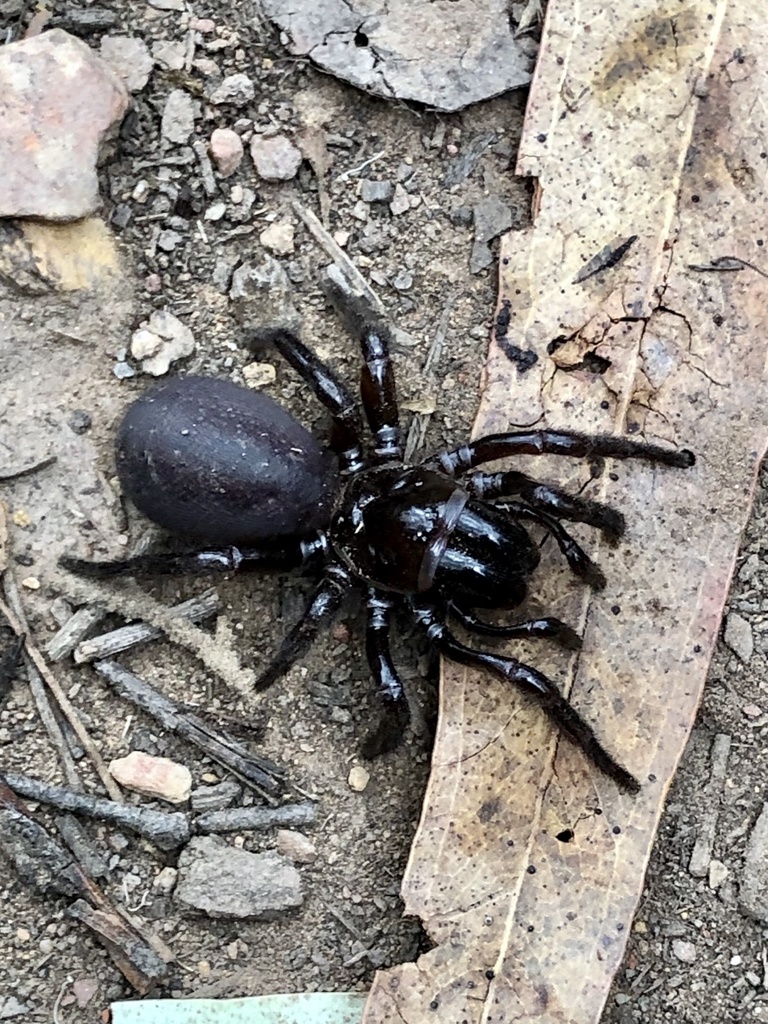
(646, 120)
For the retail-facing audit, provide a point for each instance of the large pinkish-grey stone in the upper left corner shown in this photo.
(61, 104)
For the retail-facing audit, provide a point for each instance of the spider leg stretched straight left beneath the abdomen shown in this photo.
(305, 554)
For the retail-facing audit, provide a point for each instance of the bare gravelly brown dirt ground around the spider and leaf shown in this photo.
(693, 956)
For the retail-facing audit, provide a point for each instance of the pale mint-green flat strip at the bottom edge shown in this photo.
(300, 1008)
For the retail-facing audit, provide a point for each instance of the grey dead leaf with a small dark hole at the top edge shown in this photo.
(446, 56)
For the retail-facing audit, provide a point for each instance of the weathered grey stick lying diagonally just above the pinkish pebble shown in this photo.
(259, 773)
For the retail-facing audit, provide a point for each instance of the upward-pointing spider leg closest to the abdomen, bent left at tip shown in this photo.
(347, 440)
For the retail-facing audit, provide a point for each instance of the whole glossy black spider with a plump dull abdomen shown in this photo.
(208, 459)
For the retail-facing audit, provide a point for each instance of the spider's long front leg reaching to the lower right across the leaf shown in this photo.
(552, 702)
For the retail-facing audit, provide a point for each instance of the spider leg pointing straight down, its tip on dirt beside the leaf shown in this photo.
(389, 734)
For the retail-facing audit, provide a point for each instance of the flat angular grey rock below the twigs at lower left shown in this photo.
(225, 882)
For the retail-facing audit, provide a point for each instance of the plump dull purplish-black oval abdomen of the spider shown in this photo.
(209, 459)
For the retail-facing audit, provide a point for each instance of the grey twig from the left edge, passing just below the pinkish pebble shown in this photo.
(167, 830)
